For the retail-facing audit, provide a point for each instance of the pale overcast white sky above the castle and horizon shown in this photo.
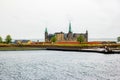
(27, 19)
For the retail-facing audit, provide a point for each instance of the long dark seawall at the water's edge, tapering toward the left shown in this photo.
(98, 50)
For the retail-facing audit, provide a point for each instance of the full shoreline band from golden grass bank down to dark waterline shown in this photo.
(100, 48)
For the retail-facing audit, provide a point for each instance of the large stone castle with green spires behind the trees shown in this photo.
(65, 37)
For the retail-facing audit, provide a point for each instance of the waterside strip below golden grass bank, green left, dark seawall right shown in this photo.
(72, 49)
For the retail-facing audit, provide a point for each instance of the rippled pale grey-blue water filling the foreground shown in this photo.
(58, 65)
